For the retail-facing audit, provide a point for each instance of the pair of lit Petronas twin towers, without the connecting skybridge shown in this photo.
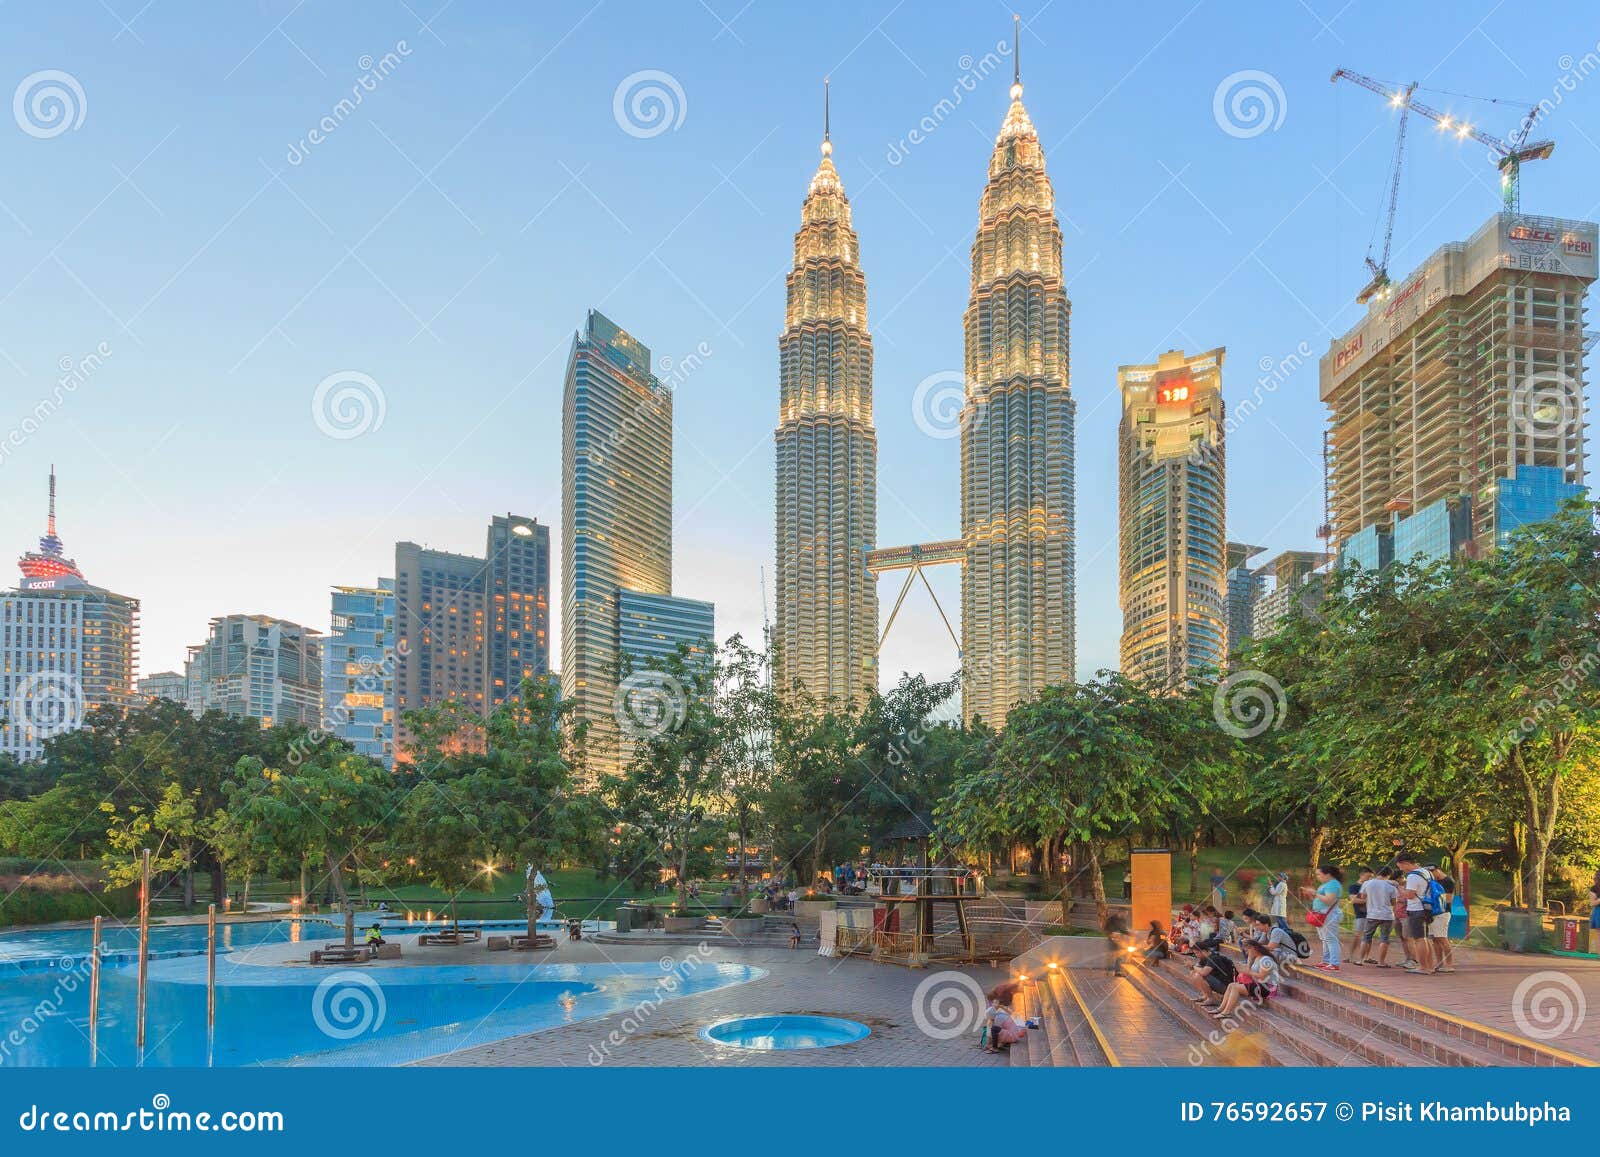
(1017, 449)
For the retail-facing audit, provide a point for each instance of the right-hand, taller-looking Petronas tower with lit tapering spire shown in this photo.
(1018, 522)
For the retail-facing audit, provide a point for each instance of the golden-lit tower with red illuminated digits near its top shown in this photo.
(1172, 479)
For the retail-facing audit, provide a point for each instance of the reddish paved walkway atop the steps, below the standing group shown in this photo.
(1551, 999)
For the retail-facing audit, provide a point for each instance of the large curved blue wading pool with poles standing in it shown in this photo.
(300, 1015)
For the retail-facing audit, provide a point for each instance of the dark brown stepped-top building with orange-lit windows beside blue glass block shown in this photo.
(471, 628)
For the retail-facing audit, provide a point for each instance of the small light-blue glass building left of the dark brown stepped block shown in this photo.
(359, 670)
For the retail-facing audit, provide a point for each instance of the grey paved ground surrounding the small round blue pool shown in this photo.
(879, 996)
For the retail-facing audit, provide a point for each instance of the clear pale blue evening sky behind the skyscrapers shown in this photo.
(449, 234)
